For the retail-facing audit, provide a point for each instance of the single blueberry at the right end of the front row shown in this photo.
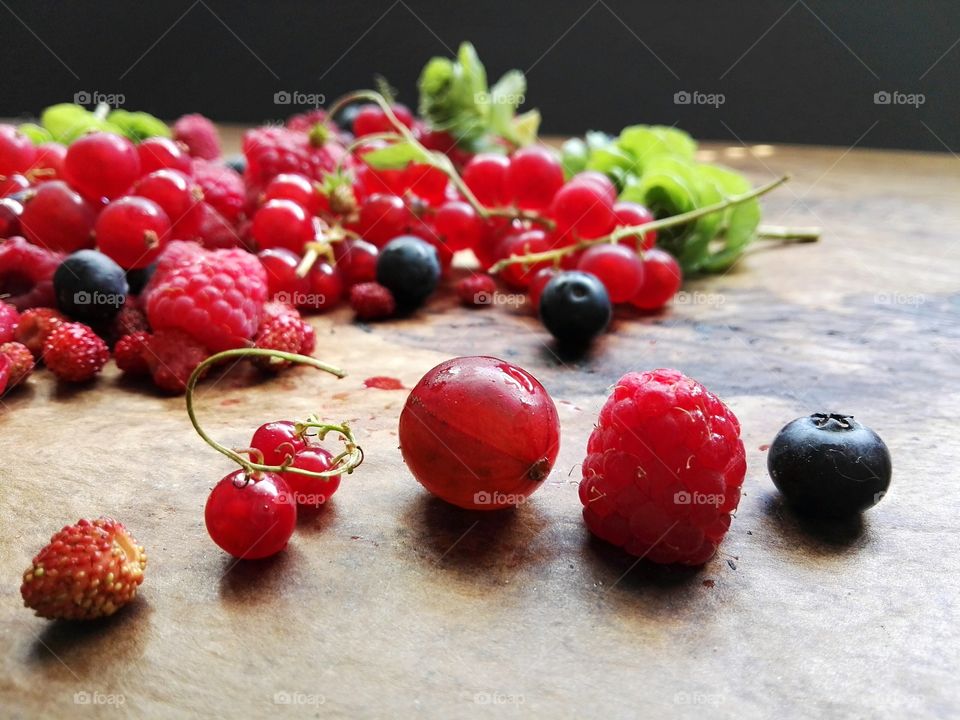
(829, 465)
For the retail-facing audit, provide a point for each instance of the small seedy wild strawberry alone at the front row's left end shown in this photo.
(89, 570)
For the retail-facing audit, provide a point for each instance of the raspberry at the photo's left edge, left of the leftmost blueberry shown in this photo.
(26, 273)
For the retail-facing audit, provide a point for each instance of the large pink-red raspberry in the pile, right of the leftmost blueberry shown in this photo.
(216, 296)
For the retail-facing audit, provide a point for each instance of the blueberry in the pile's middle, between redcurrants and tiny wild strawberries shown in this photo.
(409, 268)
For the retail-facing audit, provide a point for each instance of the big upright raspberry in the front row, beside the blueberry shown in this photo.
(664, 469)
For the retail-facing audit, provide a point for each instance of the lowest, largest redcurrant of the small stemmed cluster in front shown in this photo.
(251, 518)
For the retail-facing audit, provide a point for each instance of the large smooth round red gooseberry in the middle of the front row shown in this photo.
(479, 432)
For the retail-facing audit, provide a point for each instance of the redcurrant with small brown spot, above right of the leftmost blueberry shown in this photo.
(132, 231)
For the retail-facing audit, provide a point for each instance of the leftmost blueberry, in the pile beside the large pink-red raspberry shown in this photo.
(90, 287)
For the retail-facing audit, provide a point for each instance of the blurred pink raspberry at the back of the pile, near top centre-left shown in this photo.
(271, 151)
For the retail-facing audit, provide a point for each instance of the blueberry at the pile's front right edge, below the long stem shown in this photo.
(575, 307)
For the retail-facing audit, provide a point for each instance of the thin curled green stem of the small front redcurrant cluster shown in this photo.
(345, 462)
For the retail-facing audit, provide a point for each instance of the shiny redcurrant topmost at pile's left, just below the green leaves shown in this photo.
(101, 165)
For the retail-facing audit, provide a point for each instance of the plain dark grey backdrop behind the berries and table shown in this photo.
(801, 71)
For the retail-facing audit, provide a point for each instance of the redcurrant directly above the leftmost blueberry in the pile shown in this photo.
(57, 218)
